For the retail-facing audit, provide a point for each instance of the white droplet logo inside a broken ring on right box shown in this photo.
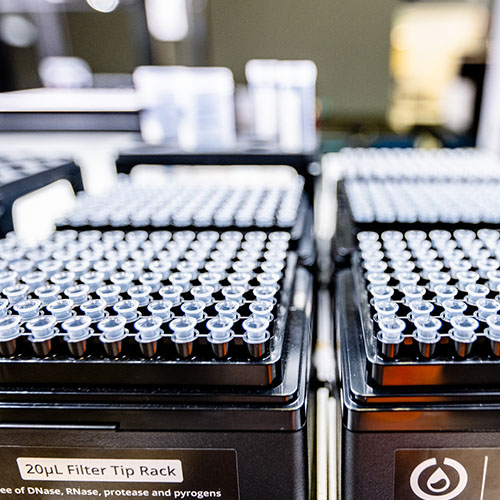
(438, 477)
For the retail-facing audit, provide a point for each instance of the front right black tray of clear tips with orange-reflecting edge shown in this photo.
(429, 306)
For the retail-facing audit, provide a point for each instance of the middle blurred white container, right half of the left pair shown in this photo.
(206, 103)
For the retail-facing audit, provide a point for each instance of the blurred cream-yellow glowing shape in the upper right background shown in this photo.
(428, 41)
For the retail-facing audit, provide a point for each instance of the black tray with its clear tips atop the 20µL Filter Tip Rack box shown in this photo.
(145, 309)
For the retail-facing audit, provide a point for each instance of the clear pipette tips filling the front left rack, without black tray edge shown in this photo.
(141, 294)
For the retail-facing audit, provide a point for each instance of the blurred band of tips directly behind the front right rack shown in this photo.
(448, 201)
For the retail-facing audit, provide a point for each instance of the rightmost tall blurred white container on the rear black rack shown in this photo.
(296, 105)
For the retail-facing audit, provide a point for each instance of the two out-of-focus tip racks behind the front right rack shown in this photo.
(398, 188)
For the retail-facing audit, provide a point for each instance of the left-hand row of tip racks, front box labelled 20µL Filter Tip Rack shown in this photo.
(168, 322)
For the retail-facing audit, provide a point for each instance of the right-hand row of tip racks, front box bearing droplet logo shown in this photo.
(418, 315)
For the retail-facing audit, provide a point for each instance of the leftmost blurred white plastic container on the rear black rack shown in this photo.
(157, 88)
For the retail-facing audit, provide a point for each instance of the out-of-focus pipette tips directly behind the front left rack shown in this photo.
(181, 203)
